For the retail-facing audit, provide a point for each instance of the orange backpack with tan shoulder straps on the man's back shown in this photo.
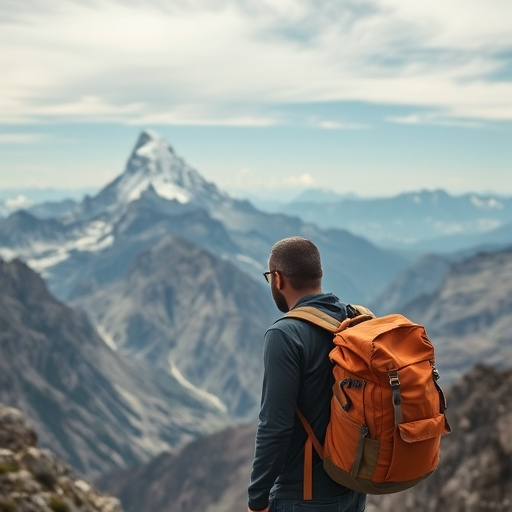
(387, 409)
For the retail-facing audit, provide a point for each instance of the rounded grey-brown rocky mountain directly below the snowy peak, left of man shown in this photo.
(181, 309)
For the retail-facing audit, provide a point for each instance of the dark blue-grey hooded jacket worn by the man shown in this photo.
(297, 373)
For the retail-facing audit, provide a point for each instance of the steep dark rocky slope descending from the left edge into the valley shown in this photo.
(91, 405)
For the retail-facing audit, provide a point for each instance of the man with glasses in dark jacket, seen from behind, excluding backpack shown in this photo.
(297, 374)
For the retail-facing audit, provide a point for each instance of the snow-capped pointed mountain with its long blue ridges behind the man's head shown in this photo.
(98, 239)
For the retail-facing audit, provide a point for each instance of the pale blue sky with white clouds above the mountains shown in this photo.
(266, 97)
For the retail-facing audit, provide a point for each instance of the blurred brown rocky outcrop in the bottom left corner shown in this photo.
(34, 480)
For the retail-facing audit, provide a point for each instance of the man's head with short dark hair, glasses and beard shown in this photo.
(296, 270)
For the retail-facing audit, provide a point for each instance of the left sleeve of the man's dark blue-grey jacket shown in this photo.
(281, 381)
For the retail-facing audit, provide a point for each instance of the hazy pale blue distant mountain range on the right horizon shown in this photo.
(420, 221)
